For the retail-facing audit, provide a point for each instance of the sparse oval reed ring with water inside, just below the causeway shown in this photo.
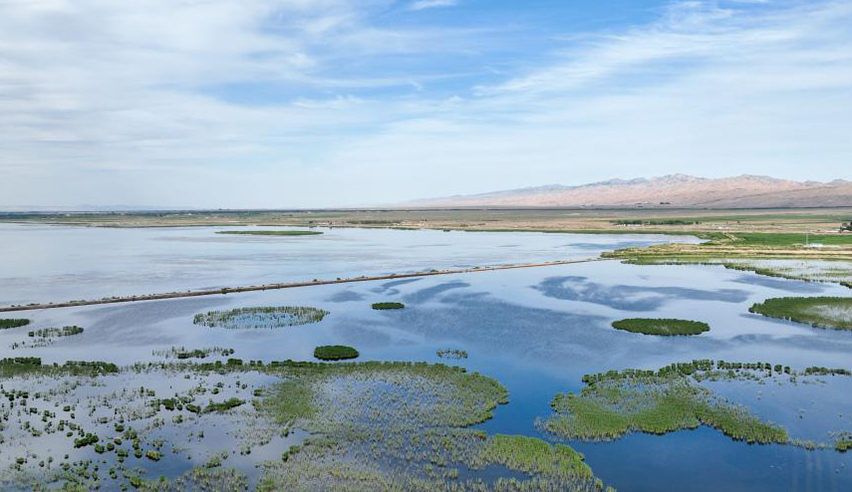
(260, 317)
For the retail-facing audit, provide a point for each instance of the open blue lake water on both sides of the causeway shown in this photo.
(536, 330)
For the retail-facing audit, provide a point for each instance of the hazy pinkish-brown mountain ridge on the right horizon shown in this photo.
(670, 191)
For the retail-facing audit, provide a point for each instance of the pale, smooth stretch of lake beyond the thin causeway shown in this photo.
(54, 263)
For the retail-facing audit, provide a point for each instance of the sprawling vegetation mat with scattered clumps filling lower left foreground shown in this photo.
(195, 426)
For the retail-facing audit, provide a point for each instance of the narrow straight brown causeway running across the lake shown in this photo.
(290, 285)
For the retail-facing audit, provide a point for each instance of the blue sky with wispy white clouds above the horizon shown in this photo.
(329, 103)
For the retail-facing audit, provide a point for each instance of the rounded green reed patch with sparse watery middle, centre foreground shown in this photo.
(328, 395)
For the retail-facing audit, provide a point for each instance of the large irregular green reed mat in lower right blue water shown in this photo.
(658, 402)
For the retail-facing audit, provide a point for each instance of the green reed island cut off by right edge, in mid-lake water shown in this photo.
(819, 312)
